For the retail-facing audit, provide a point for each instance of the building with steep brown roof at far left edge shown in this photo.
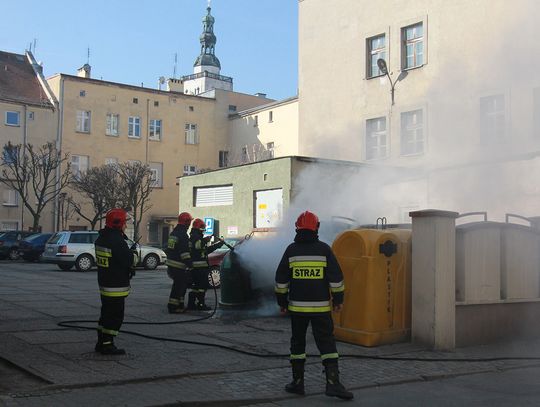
(28, 115)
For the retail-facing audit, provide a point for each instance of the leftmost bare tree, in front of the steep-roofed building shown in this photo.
(33, 174)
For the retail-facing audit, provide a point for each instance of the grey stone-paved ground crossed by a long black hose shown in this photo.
(47, 365)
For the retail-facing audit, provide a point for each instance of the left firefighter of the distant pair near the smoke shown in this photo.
(179, 263)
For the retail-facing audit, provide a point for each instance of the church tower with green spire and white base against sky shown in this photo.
(206, 69)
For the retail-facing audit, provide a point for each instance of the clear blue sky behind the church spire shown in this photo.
(135, 42)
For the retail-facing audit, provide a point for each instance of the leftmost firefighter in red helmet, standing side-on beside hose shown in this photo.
(115, 263)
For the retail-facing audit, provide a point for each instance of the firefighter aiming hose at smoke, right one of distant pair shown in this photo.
(199, 254)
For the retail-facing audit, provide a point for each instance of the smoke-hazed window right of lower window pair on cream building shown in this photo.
(492, 118)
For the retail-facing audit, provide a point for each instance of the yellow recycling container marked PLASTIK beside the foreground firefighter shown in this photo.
(376, 266)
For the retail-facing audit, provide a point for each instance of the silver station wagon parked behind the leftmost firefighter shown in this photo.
(67, 249)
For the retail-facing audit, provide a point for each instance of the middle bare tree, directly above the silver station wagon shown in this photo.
(101, 186)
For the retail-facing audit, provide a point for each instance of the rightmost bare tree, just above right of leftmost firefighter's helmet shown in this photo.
(136, 184)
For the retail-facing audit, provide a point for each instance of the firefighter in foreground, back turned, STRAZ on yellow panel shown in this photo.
(306, 276)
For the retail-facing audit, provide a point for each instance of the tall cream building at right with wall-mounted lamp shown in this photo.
(447, 87)
